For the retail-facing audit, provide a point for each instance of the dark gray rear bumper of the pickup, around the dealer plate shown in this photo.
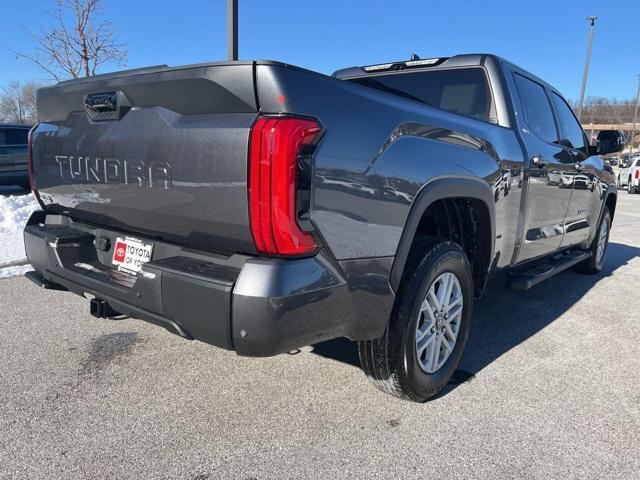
(255, 306)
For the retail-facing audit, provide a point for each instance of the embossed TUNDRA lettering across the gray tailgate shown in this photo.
(81, 169)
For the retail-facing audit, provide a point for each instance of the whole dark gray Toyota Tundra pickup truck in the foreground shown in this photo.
(261, 207)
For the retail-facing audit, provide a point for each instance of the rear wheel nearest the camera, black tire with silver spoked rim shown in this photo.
(391, 362)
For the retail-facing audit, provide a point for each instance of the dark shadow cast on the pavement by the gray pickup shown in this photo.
(500, 322)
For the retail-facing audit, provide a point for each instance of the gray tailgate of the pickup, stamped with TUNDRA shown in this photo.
(161, 152)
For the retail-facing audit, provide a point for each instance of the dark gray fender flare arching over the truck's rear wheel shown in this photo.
(439, 189)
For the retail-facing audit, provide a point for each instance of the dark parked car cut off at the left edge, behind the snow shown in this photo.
(13, 155)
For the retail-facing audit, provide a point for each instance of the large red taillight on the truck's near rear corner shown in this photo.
(275, 145)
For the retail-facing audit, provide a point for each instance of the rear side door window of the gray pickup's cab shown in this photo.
(536, 108)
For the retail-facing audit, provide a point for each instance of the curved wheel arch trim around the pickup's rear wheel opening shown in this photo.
(443, 189)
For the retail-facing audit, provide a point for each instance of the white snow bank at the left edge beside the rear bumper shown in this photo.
(14, 213)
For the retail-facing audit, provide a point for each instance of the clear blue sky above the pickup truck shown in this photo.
(547, 37)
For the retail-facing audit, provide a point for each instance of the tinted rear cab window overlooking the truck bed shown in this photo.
(464, 91)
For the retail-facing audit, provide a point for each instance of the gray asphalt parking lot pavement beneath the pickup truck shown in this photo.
(549, 388)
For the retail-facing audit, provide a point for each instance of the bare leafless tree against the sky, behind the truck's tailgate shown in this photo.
(78, 41)
